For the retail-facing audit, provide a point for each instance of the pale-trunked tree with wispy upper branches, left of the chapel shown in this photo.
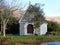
(6, 13)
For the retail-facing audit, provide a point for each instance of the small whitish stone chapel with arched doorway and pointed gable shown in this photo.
(26, 27)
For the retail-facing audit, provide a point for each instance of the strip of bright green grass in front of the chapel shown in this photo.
(31, 38)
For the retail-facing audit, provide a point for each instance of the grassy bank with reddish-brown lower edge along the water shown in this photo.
(10, 39)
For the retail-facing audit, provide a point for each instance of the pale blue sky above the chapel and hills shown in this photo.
(51, 7)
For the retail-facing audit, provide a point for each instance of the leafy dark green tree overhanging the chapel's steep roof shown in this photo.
(34, 14)
